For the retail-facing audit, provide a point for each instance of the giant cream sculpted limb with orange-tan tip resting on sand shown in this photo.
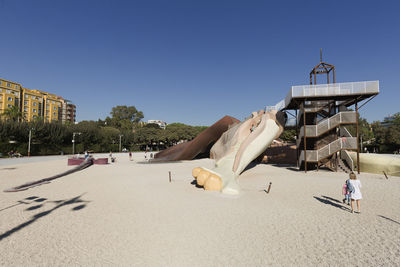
(236, 148)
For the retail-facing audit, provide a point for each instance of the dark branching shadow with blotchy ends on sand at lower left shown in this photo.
(59, 204)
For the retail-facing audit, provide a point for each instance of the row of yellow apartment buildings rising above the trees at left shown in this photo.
(35, 104)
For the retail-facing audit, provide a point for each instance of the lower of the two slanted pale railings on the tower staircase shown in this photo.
(331, 148)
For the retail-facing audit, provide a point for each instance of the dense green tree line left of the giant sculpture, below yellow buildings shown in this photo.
(123, 125)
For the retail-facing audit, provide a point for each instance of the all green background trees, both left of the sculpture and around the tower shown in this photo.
(125, 124)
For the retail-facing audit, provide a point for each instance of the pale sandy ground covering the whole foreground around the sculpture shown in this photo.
(128, 214)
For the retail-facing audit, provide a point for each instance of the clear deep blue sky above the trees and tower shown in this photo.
(196, 61)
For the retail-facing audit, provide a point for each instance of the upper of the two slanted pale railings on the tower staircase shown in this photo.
(327, 124)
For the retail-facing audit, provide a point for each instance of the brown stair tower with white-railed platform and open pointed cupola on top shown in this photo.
(324, 112)
